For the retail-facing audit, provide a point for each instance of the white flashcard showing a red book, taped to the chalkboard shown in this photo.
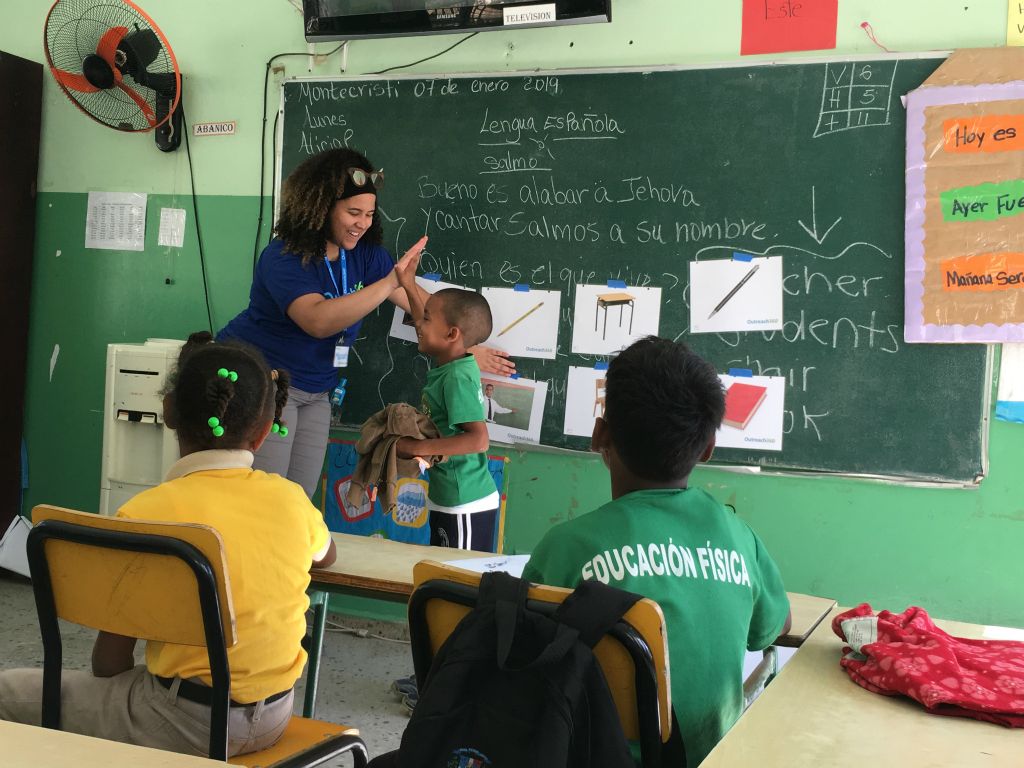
(754, 411)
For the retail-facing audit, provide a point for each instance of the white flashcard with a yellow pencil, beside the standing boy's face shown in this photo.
(526, 322)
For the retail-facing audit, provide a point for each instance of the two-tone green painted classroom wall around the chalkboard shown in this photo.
(955, 552)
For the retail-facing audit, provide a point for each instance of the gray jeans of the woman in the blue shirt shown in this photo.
(300, 456)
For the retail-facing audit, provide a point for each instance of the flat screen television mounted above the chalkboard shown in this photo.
(346, 20)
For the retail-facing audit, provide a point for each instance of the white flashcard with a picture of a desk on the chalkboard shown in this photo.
(610, 318)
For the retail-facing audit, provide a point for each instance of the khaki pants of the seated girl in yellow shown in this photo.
(136, 709)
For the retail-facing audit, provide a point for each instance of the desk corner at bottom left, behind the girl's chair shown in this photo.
(29, 747)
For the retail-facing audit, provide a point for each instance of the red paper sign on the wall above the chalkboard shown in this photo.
(777, 26)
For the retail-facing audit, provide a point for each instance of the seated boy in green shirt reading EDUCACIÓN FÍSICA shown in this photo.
(719, 590)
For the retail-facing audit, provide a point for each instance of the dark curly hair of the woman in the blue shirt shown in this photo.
(309, 196)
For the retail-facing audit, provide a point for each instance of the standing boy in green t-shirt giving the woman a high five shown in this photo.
(462, 500)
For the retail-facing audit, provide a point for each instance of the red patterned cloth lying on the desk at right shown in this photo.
(907, 655)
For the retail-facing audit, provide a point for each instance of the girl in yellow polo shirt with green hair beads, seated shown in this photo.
(224, 402)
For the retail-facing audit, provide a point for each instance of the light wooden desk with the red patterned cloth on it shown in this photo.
(814, 715)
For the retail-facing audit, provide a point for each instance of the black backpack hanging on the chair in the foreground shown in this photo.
(515, 689)
